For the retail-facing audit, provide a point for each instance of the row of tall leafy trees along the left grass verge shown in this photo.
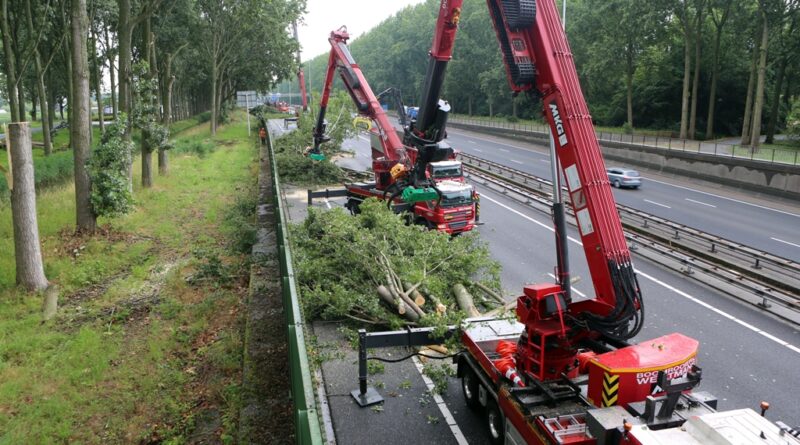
(164, 60)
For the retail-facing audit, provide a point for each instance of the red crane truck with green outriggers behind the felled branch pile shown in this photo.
(407, 177)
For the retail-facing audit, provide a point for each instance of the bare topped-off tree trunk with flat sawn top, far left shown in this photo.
(27, 251)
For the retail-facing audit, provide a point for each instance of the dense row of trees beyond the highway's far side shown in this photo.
(702, 68)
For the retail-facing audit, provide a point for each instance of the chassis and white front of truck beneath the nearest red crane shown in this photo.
(561, 411)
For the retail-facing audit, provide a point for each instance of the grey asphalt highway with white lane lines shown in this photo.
(746, 356)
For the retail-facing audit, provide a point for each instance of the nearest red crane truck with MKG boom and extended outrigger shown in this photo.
(563, 372)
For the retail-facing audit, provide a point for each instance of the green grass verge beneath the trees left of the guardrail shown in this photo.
(106, 369)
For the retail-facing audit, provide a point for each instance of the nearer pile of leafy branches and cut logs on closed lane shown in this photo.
(374, 269)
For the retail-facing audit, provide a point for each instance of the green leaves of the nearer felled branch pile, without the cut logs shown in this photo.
(337, 262)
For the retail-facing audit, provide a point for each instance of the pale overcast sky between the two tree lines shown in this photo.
(359, 16)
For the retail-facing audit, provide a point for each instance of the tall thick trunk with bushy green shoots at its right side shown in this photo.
(80, 114)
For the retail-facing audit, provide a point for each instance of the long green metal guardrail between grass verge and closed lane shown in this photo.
(307, 427)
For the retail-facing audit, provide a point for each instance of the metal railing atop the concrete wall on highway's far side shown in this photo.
(764, 154)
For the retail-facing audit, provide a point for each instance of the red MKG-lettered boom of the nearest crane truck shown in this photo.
(538, 59)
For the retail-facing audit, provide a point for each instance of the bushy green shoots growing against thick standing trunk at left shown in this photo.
(108, 171)
